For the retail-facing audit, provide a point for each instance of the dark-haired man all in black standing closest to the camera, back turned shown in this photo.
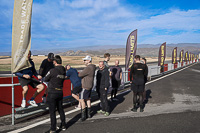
(55, 78)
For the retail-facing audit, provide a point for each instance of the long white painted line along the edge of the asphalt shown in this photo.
(96, 102)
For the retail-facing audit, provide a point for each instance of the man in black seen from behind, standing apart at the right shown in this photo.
(137, 74)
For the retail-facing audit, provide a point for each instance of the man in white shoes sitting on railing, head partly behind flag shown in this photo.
(26, 78)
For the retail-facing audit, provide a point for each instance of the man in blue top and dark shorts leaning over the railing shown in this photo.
(72, 74)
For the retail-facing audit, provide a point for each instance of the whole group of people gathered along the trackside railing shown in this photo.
(52, 74)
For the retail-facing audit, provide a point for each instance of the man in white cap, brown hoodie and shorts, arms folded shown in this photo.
(87, 76)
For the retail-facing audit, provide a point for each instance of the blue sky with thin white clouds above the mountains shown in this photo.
(74, 23)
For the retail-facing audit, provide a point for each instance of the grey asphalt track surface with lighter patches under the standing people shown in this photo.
(173, 105)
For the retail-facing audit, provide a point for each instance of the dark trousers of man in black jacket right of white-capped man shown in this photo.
(104, 100)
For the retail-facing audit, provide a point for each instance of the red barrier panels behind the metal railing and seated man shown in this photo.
(6, 94)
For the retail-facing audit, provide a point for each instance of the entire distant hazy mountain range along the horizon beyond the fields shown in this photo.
(143, 50)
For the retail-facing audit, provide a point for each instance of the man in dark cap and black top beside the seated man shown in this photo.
(47, 64)
